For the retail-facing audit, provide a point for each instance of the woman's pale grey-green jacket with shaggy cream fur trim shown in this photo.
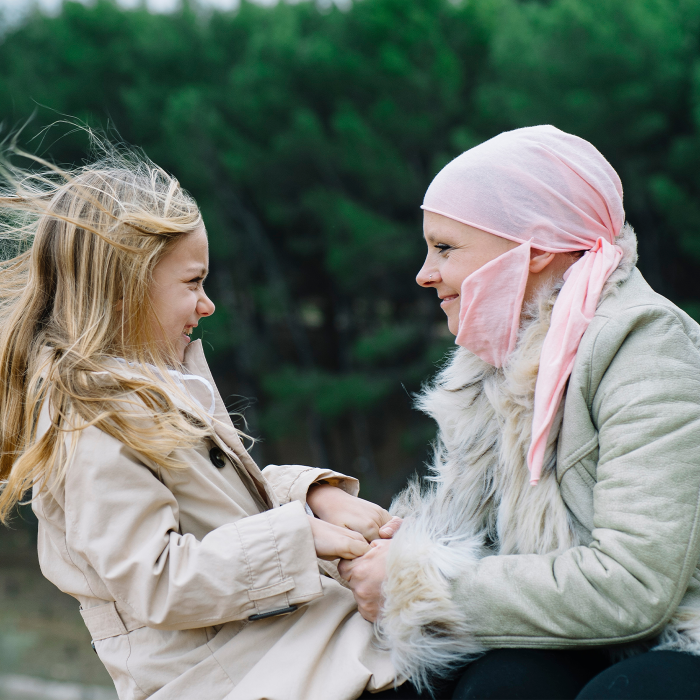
(605, 550)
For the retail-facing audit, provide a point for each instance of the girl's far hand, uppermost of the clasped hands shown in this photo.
(333, 505)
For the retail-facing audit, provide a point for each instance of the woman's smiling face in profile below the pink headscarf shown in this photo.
(455, 250)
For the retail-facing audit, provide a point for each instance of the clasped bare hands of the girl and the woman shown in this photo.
(358, 533)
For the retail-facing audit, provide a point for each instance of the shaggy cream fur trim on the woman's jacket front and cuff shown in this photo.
(478, 500)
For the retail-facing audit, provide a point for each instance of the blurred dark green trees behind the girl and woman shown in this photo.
(309, 132)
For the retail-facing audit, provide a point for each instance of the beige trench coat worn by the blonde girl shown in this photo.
(169, 567)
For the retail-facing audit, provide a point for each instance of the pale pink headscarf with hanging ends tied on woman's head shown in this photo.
(551, 191)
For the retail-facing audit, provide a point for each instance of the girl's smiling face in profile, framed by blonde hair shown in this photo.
(177, 293)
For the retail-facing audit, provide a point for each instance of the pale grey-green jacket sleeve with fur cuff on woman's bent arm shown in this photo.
(625, 585)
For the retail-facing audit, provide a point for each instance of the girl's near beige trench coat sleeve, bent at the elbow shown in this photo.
(123, 521)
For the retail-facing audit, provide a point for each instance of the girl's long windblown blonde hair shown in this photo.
(75, 309)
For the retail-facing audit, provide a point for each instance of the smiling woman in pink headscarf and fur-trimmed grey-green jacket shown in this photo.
(560, 530)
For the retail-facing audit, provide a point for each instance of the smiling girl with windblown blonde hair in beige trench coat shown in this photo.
(196, 575)
